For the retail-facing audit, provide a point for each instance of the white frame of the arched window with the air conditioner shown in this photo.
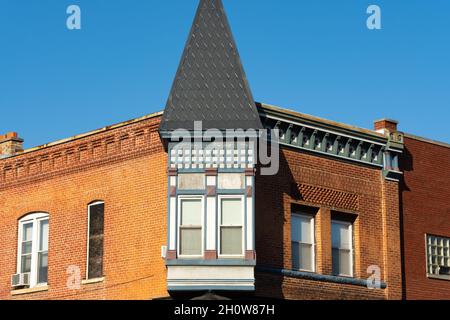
(35, 219)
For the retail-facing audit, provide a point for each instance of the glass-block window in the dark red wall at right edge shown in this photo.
(438, 256)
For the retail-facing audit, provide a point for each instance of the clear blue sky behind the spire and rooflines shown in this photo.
(314, 56)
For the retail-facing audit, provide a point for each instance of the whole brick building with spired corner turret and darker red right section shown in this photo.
(129, 212)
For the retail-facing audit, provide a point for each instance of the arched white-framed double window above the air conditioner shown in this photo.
(33, 248)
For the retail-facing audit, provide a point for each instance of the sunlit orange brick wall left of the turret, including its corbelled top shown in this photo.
(126, 168)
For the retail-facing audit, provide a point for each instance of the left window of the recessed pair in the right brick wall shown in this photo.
(303, 242)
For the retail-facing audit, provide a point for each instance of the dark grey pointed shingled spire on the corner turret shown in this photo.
(210, 84)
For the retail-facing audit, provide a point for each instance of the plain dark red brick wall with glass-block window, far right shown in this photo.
(426, 210)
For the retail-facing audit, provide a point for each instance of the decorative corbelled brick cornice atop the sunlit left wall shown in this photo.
(109, 146)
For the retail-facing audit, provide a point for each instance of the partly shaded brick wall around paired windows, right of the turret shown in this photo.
(331, 185)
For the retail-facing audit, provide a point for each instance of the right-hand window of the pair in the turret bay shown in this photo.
(231, 226)
